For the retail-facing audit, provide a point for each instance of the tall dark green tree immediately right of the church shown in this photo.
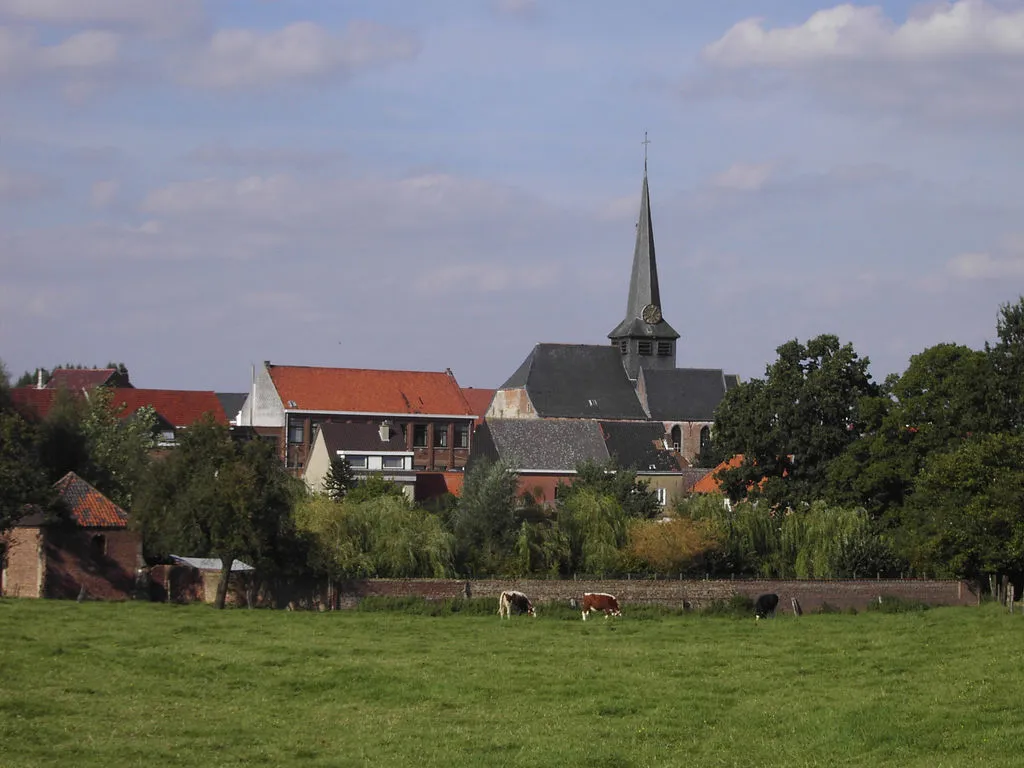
(790, 425)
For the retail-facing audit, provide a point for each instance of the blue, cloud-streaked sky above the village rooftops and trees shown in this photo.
(194, 187)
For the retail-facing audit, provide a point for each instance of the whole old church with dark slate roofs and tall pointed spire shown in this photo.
(634, 379)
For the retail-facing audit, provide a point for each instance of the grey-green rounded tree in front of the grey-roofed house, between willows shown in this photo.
(485, 522)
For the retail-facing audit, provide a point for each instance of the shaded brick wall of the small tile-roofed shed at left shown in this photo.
(73, 563)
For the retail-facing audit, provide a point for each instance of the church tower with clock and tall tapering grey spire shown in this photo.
(644, 338)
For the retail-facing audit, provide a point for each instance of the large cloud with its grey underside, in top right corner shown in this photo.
(948, 62)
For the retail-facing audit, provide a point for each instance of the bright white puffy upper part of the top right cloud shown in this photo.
(855, 33)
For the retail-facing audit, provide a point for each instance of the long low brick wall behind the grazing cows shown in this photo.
(812, 594)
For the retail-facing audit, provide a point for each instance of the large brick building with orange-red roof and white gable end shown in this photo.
(426, 413)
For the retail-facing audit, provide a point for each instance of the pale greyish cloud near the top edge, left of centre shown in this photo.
(302, 52)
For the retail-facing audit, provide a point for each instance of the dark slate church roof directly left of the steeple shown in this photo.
(578, 381)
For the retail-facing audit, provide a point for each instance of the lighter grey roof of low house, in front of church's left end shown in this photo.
(544, 445)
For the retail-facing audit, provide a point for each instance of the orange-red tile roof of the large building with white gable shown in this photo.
(368, 392)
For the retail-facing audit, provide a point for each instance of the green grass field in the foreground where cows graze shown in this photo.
(137, 685)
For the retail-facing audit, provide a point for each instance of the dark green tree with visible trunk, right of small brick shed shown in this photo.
(214, 496)
